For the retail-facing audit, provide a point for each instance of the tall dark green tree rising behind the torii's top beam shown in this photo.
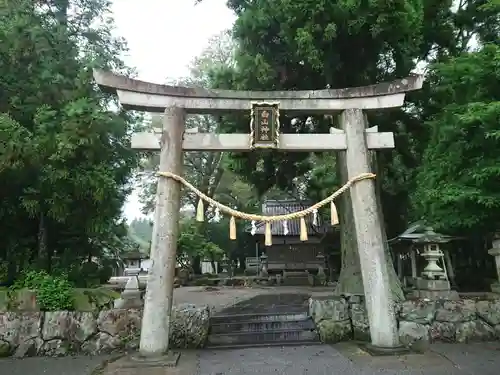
(309, 45)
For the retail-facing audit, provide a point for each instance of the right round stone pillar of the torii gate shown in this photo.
(369, 236)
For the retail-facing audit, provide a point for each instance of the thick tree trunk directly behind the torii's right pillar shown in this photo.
(350, 278)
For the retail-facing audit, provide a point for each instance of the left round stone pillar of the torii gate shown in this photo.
(159, 291)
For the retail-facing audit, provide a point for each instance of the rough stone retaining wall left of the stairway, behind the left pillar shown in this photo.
(70, 332)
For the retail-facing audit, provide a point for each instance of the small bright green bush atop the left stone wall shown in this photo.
(53, 292)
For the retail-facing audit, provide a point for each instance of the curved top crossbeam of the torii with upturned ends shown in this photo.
(144, 96)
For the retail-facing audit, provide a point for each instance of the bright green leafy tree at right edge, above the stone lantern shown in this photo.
(458, 181)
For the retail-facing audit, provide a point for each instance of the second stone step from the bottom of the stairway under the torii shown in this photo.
(261, 326)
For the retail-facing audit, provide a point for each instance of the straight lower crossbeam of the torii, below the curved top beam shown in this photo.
(241, 142)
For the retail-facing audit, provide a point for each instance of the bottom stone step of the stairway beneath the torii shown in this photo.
(274, 336)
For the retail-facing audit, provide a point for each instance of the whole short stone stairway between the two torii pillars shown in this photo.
(294, 327)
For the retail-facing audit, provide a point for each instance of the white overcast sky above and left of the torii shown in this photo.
(163, 37)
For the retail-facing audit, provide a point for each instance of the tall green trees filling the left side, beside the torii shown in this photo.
(65, 160)
